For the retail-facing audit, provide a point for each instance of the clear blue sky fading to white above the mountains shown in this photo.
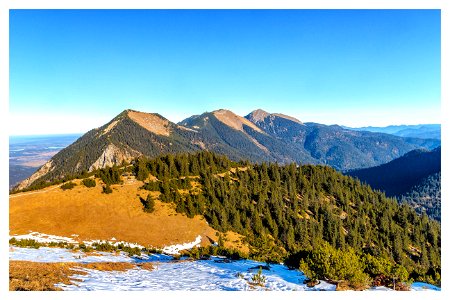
(73, 70)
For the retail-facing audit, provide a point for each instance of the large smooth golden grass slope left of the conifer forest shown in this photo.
(93, 215)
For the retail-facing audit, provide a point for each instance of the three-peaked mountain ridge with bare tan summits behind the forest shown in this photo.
(259, 136)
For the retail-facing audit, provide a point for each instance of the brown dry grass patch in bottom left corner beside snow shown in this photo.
(35, 276)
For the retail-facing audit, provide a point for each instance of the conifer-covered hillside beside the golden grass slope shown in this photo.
(294, 214)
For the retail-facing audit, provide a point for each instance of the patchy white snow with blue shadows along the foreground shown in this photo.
(213, 274)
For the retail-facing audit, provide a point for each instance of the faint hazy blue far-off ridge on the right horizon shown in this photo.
(431, 131)
